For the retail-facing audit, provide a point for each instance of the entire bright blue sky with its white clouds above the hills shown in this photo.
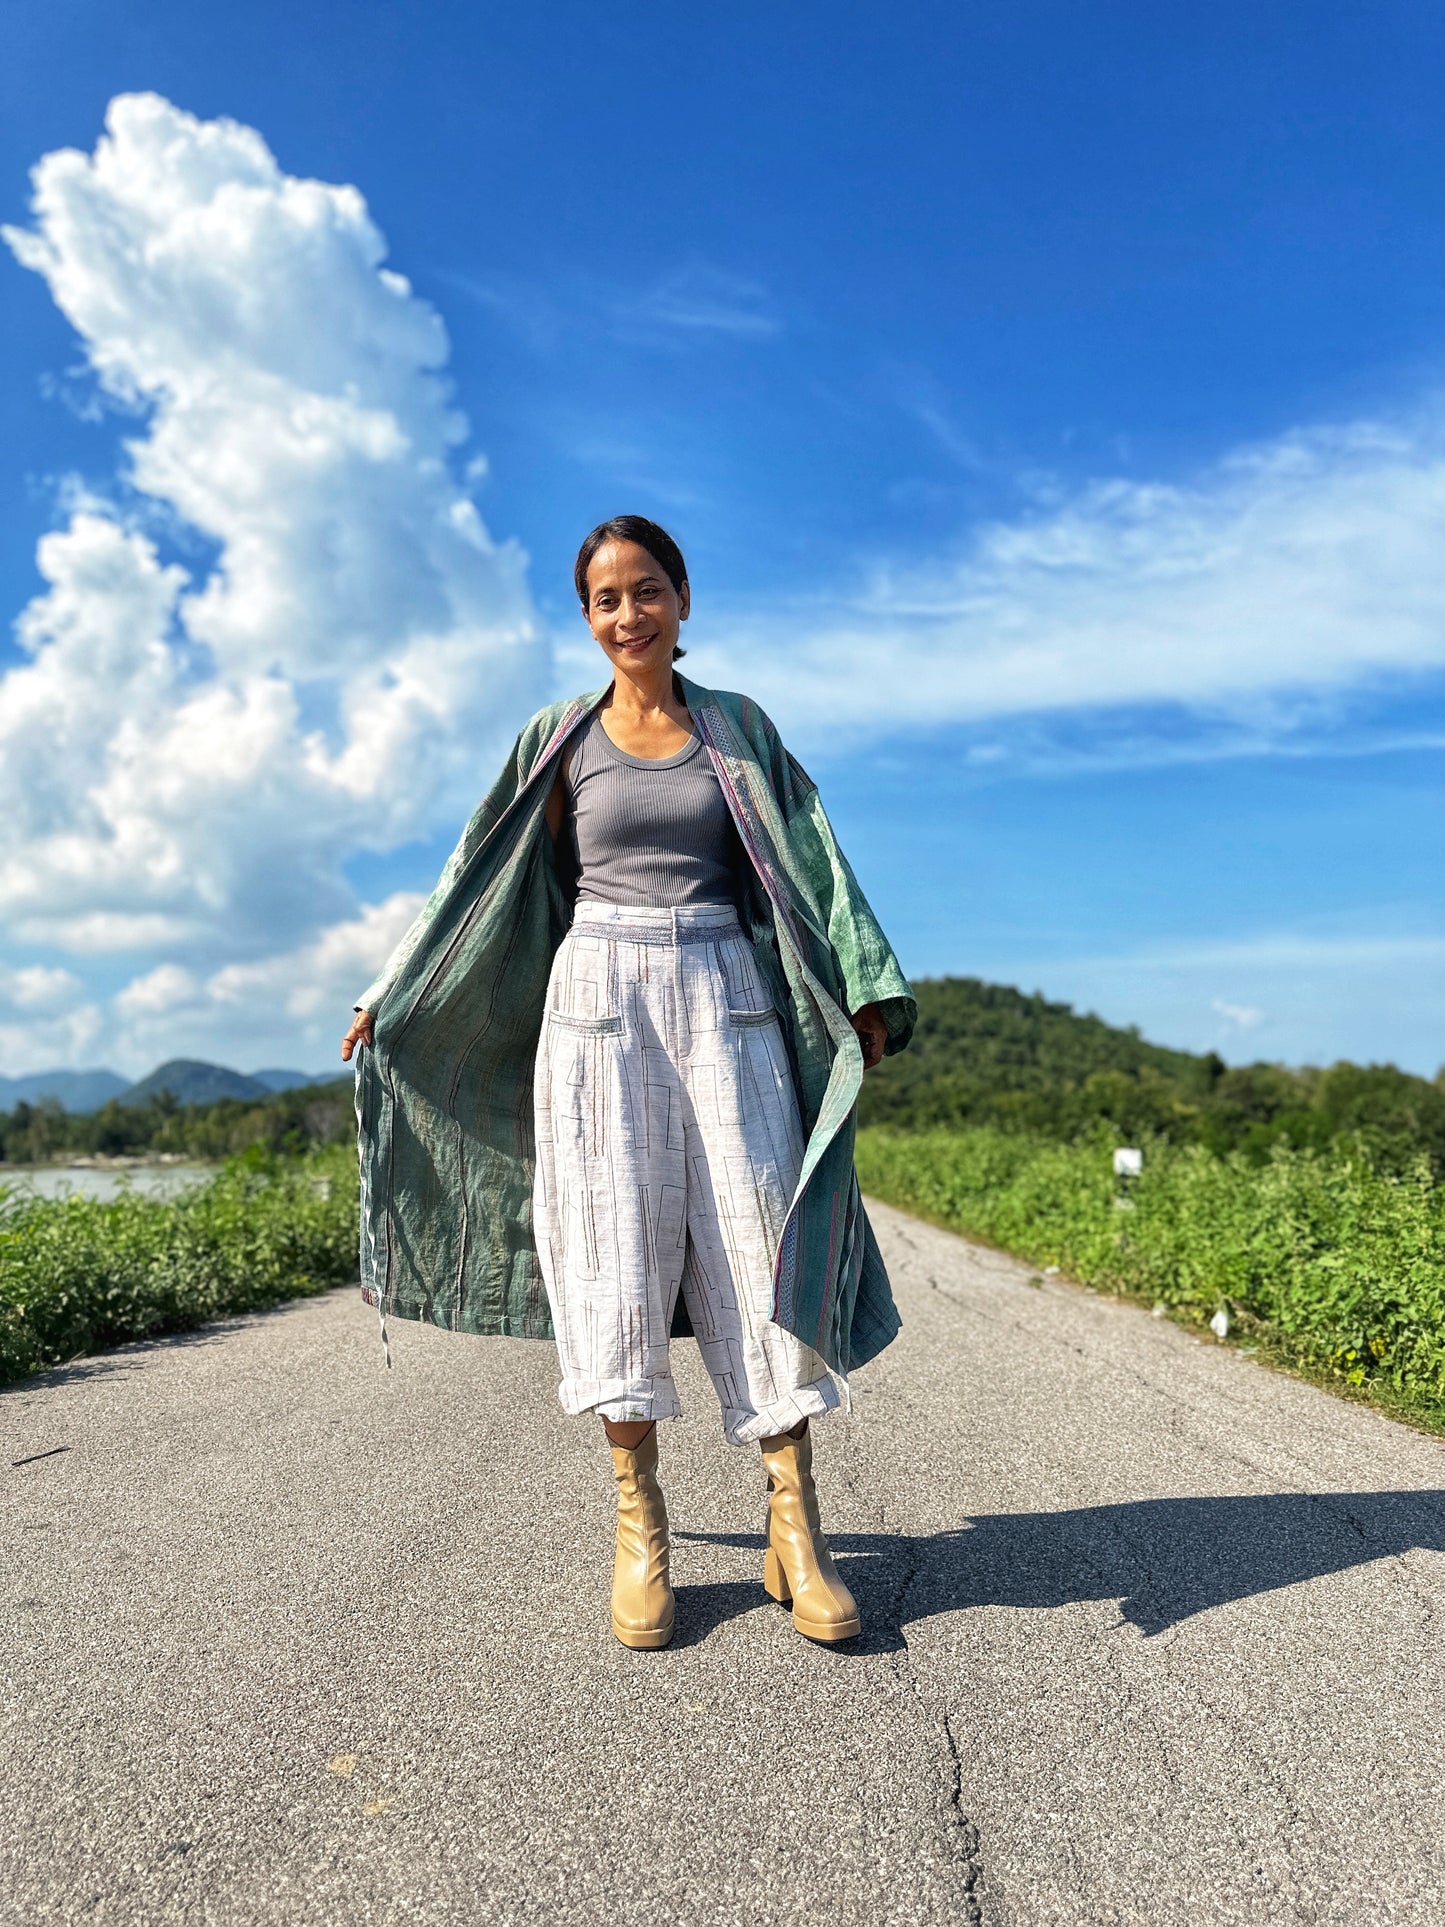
(1049, 404)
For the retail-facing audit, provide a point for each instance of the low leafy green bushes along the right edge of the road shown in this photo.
(1321, 1257)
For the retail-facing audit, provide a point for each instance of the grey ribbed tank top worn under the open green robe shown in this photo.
(648, 832)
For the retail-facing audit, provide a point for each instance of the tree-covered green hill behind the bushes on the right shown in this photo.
(991, 1055)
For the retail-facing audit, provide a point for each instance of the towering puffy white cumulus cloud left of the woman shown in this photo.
(192, 749)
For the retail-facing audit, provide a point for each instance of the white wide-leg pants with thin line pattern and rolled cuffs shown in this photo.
(668, 1155)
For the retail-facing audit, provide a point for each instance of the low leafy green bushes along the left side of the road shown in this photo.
(78, 1275)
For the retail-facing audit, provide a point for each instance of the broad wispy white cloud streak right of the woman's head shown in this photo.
(1282, 579)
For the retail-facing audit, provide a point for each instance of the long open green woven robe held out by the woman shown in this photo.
(444, 1097)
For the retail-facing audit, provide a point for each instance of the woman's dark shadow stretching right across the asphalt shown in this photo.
(1165, 1560)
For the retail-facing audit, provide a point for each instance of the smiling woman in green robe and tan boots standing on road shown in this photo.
(610, 1080)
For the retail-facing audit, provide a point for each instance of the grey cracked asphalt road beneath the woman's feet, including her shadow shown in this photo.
(1151, 1637)
